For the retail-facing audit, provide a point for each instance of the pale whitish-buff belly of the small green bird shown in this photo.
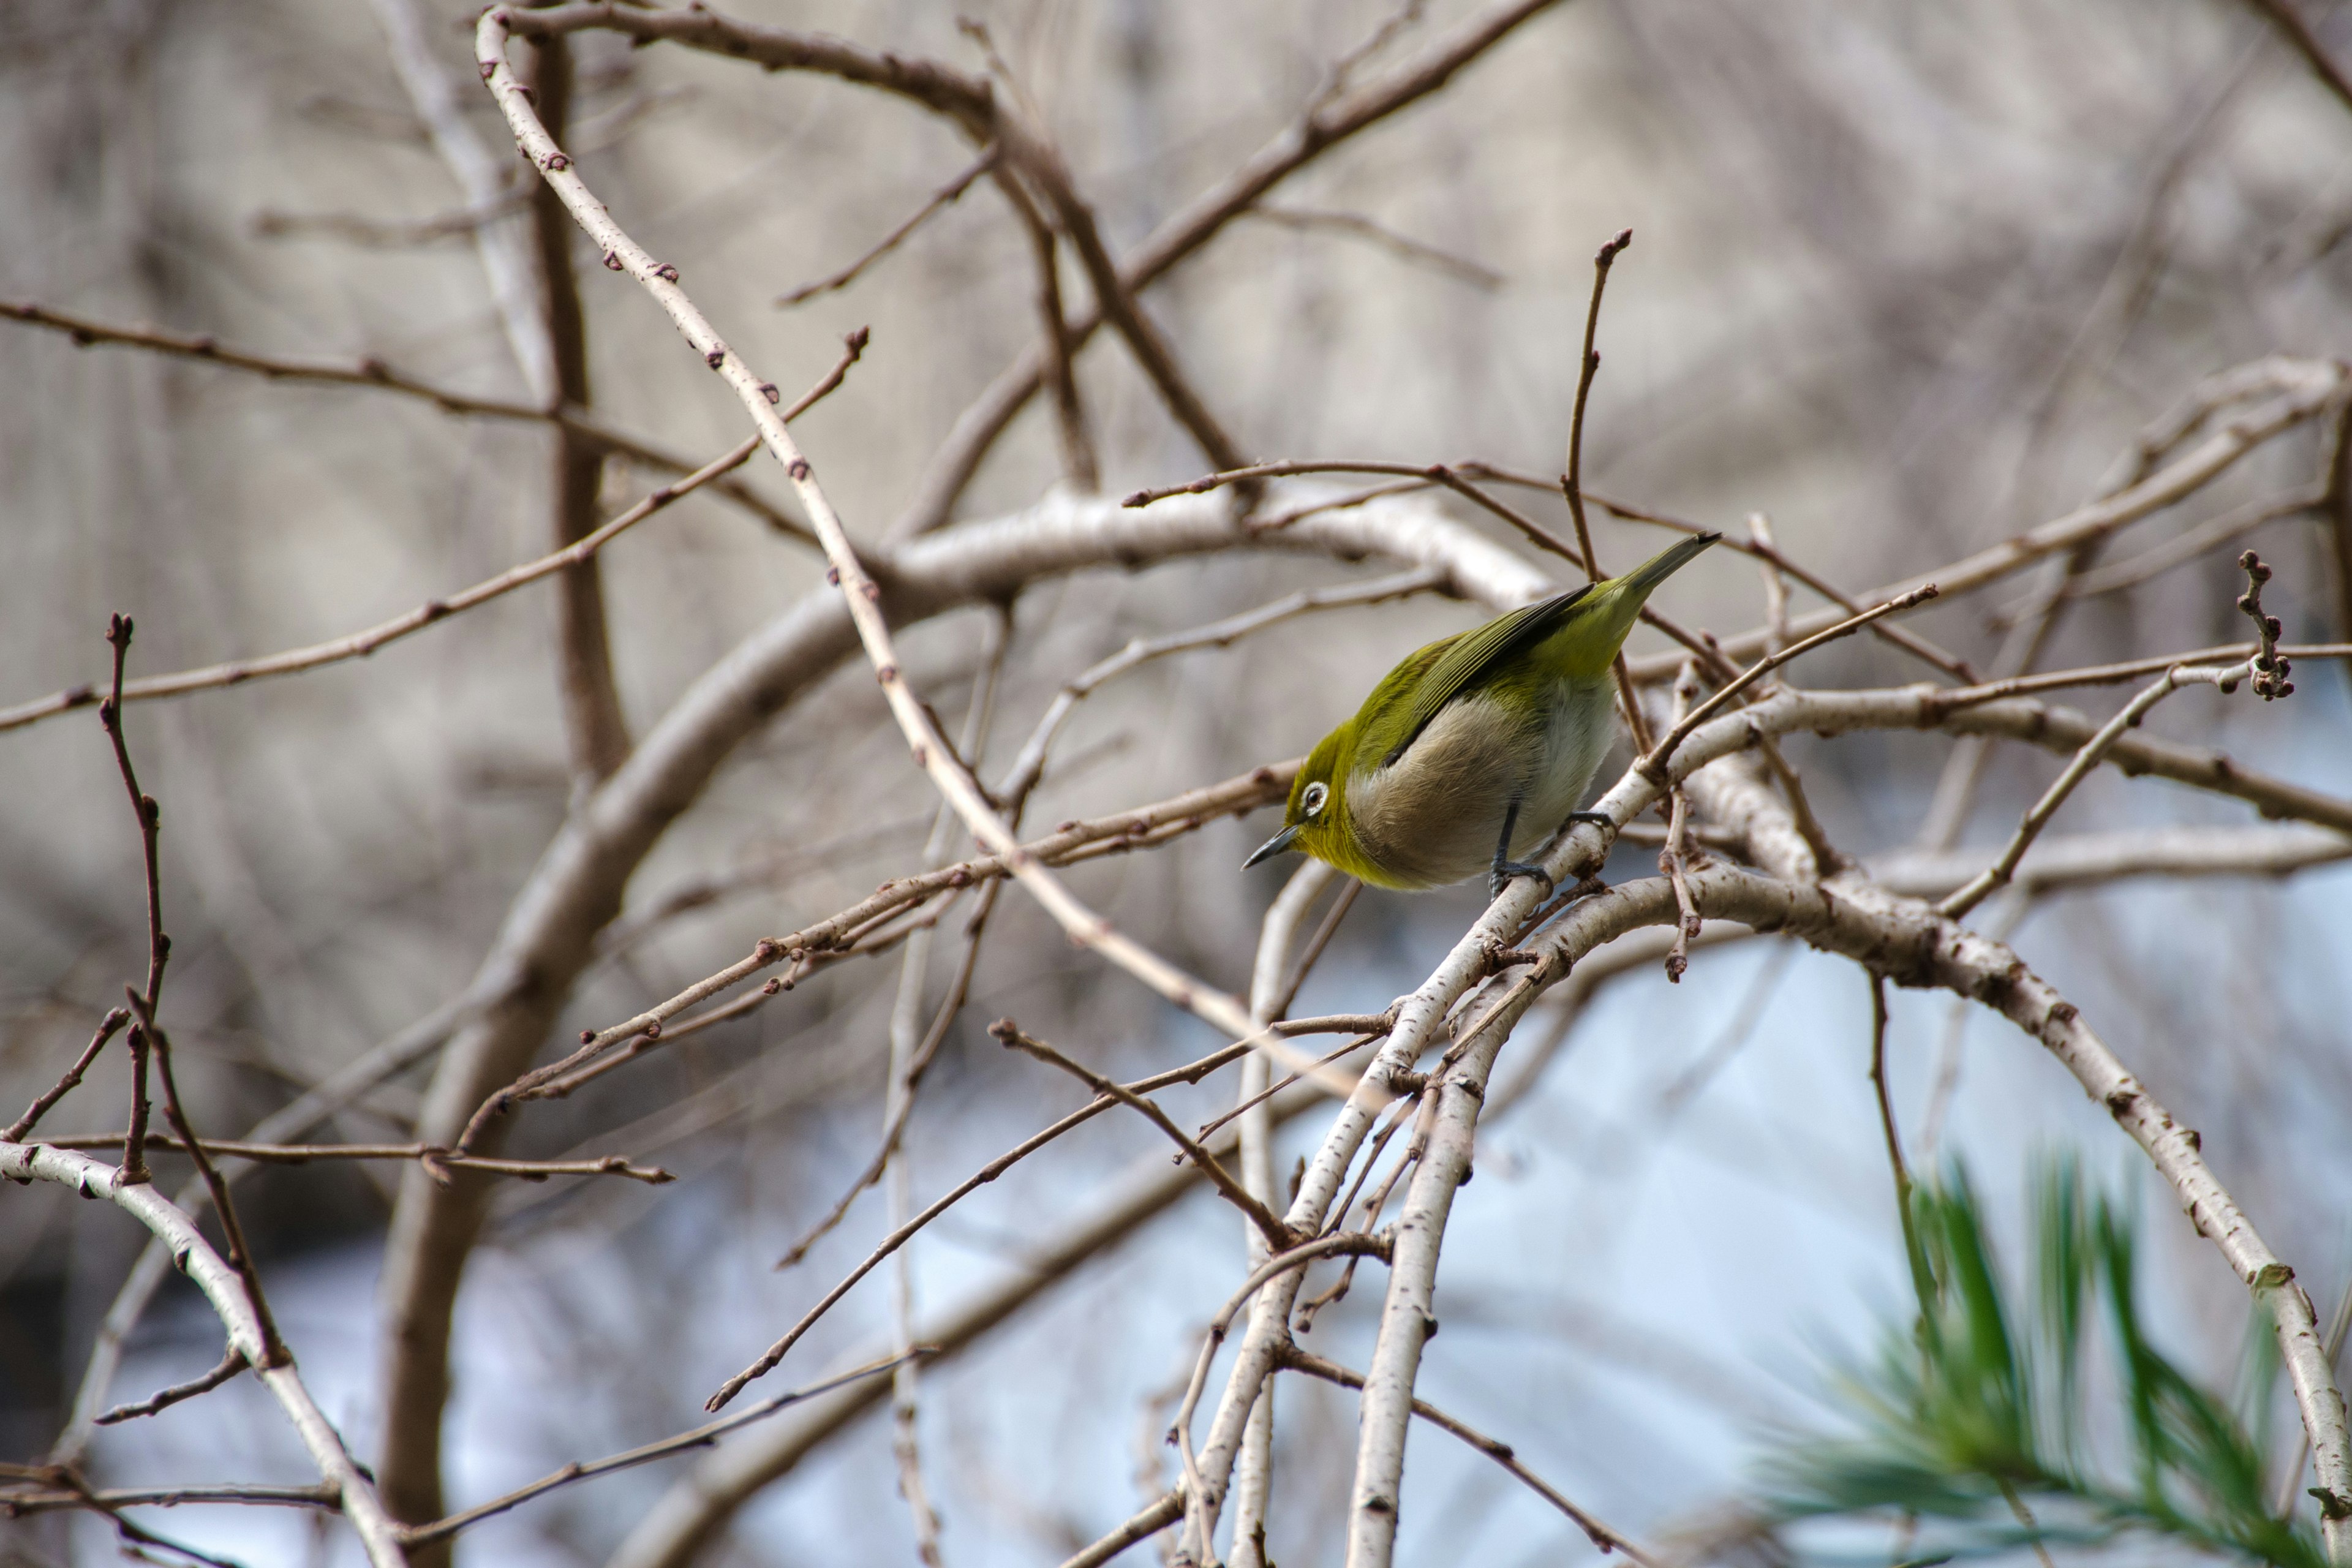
(1436, 815)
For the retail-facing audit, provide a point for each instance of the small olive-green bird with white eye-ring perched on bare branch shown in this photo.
(1476, 749)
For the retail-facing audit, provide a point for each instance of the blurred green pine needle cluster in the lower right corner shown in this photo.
(2000, 1421)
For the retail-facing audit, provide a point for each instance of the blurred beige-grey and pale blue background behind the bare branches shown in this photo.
(1904, 279)
